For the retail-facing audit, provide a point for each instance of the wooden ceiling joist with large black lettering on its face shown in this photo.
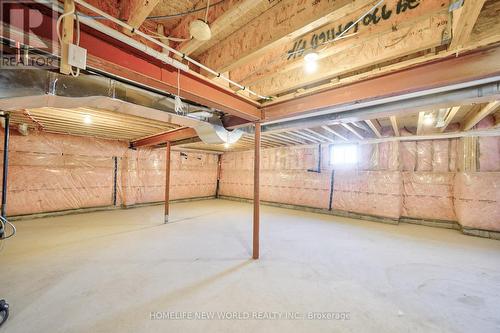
(388, 17)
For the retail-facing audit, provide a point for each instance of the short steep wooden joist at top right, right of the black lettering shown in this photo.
(464, 19)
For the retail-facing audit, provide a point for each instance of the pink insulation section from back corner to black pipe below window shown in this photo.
(284, 177)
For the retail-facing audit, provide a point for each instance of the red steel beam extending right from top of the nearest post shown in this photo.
(448, 71)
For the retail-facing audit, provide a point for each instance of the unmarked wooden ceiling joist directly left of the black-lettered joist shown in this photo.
(284, 21)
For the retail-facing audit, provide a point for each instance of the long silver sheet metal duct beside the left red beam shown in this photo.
(25, 89)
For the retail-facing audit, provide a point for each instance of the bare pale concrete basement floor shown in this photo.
(107, 271)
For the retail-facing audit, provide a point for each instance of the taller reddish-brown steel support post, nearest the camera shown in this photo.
(256, 193)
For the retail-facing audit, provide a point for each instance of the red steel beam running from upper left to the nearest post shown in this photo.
(111, 56)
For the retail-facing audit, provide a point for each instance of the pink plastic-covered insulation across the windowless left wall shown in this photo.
(53, 172)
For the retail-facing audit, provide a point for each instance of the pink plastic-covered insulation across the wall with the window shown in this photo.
(421, 179)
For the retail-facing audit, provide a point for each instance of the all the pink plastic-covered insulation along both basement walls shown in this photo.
(51, 172)
